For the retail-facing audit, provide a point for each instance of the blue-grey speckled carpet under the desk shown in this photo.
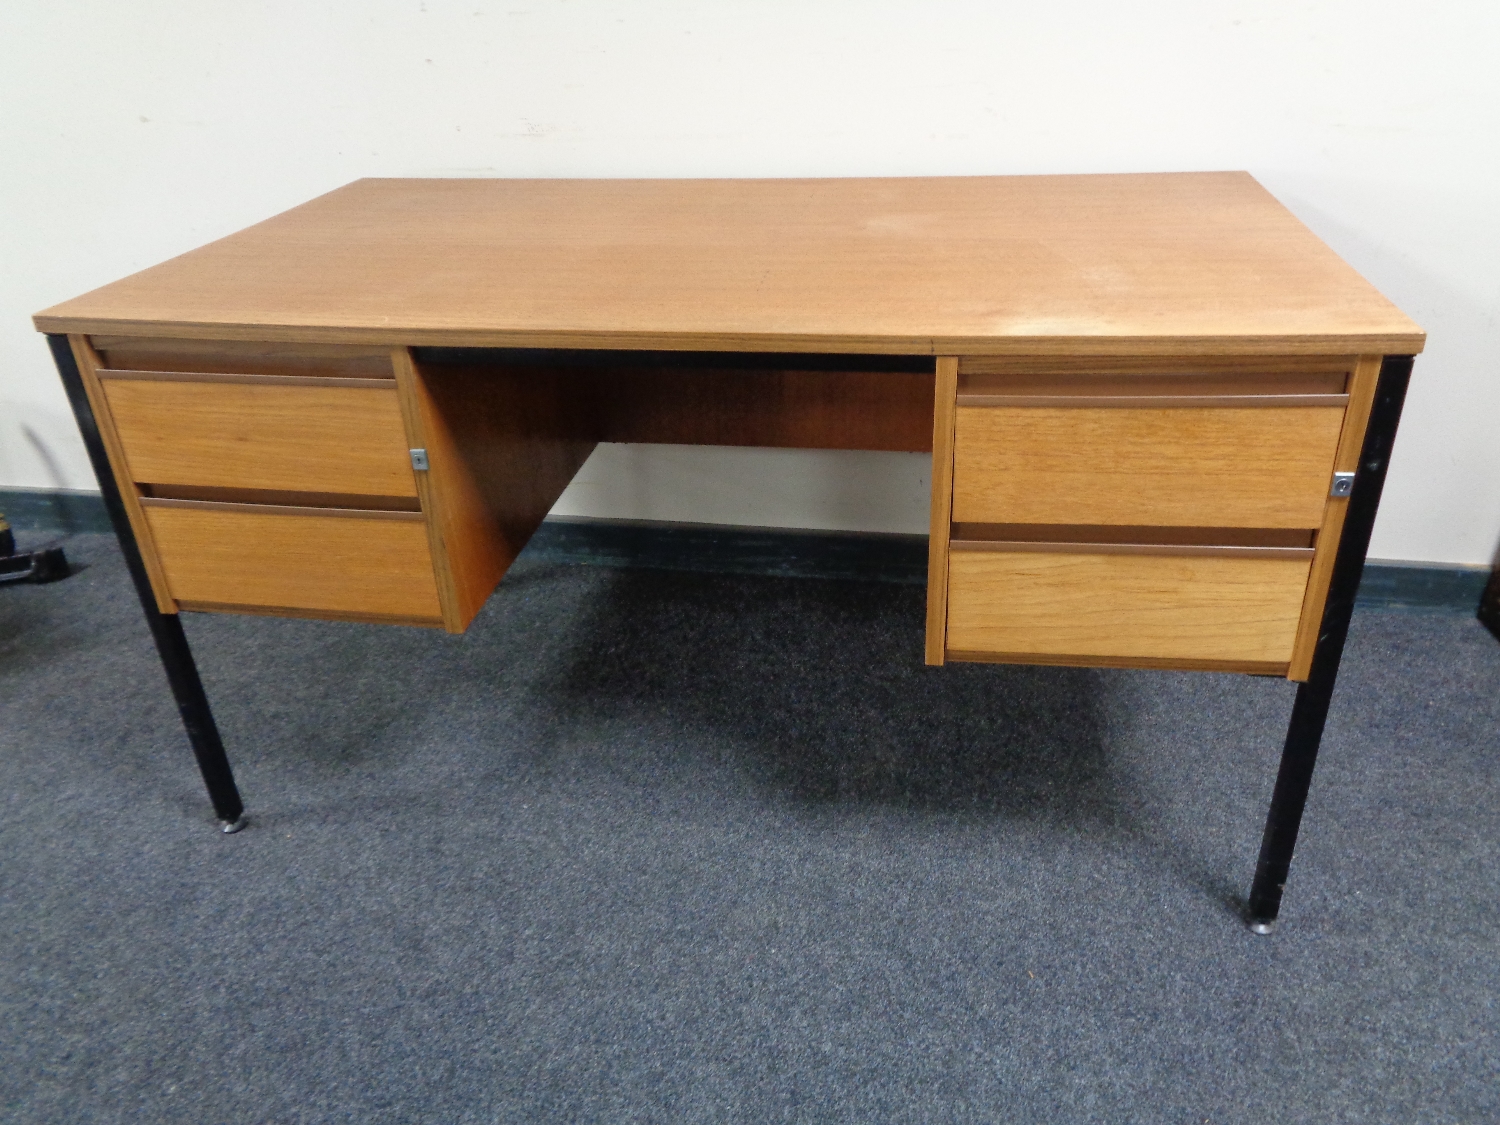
(683, 848)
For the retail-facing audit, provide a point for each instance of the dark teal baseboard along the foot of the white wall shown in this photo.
(779, 553)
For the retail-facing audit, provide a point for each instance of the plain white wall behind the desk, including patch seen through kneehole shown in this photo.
(136, 131)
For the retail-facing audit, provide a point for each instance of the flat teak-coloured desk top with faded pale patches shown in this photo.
(1192, 263)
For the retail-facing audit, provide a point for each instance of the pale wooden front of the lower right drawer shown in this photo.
(1106, 608)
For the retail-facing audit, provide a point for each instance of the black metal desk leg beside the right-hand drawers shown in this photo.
(1315, 697)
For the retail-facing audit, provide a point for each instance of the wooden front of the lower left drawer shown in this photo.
(341, 563)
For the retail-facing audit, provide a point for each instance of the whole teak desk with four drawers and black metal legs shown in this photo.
(1160, 410)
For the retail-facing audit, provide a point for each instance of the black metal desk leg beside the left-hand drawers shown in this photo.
(167, 629)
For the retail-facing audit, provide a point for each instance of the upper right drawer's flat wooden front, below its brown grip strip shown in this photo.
(1252, 467)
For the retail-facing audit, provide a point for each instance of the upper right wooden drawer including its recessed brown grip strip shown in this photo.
(1147, 451)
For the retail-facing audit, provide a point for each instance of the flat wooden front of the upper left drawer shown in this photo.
(260, 433)
